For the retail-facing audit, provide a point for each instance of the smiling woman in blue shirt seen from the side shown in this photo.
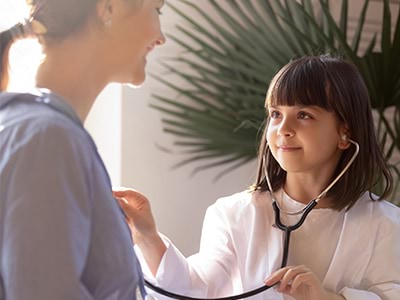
(62, 234)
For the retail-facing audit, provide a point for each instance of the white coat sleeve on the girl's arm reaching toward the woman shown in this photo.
(205, 274)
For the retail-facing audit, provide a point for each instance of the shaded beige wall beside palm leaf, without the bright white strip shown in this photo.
(178, 201)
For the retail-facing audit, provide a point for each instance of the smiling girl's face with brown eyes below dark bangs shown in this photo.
(304, 139)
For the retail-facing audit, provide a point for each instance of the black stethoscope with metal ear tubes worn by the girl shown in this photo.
(287, 230)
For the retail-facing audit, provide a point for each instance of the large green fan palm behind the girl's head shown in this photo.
(227, 69)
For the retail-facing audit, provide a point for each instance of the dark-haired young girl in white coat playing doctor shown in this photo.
(349, 245)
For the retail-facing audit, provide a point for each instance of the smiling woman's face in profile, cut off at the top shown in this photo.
(133, 34)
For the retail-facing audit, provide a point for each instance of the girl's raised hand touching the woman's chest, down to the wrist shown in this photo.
(138, 213)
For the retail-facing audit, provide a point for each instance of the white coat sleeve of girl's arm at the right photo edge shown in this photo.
(382, 277)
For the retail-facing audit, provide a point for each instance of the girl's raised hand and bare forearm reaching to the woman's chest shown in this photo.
(141, 221)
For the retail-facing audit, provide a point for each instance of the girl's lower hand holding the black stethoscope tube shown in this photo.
(300, 283)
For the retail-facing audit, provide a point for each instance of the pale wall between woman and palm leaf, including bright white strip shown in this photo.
(178, 201)
